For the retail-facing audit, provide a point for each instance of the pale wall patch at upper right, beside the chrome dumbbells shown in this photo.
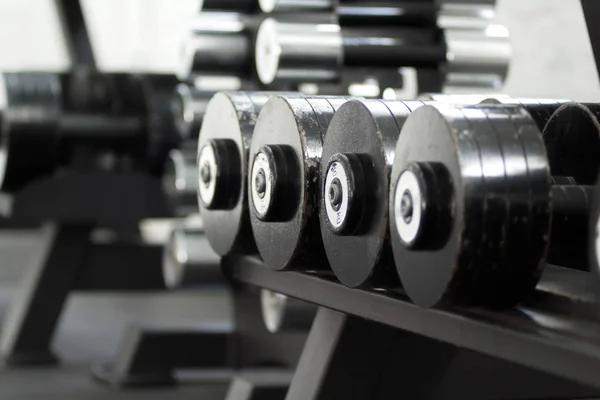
(552, 52)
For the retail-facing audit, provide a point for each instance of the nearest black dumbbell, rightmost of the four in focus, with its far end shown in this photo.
(473, 199)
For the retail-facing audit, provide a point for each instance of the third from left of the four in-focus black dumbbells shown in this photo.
(358, 153)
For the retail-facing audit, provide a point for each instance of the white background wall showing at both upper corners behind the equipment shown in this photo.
(552, 55)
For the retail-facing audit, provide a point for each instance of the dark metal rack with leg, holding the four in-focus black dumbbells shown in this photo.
(547, 347)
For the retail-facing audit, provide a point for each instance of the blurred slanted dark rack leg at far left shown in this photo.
(31, 321)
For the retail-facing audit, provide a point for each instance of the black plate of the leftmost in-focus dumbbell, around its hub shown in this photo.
(230, 116)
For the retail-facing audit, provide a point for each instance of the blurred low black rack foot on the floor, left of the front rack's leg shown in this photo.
(148, 356)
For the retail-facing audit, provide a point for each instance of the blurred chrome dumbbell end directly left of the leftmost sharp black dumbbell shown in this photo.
(180, 180)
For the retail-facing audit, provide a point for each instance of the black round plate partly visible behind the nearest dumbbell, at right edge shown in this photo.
(572, 139)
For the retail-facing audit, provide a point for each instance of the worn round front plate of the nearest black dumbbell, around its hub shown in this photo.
(433, 277)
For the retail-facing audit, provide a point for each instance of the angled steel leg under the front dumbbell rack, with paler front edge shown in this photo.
(346, 357)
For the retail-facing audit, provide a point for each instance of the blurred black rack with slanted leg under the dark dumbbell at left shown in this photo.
(73, 209)
